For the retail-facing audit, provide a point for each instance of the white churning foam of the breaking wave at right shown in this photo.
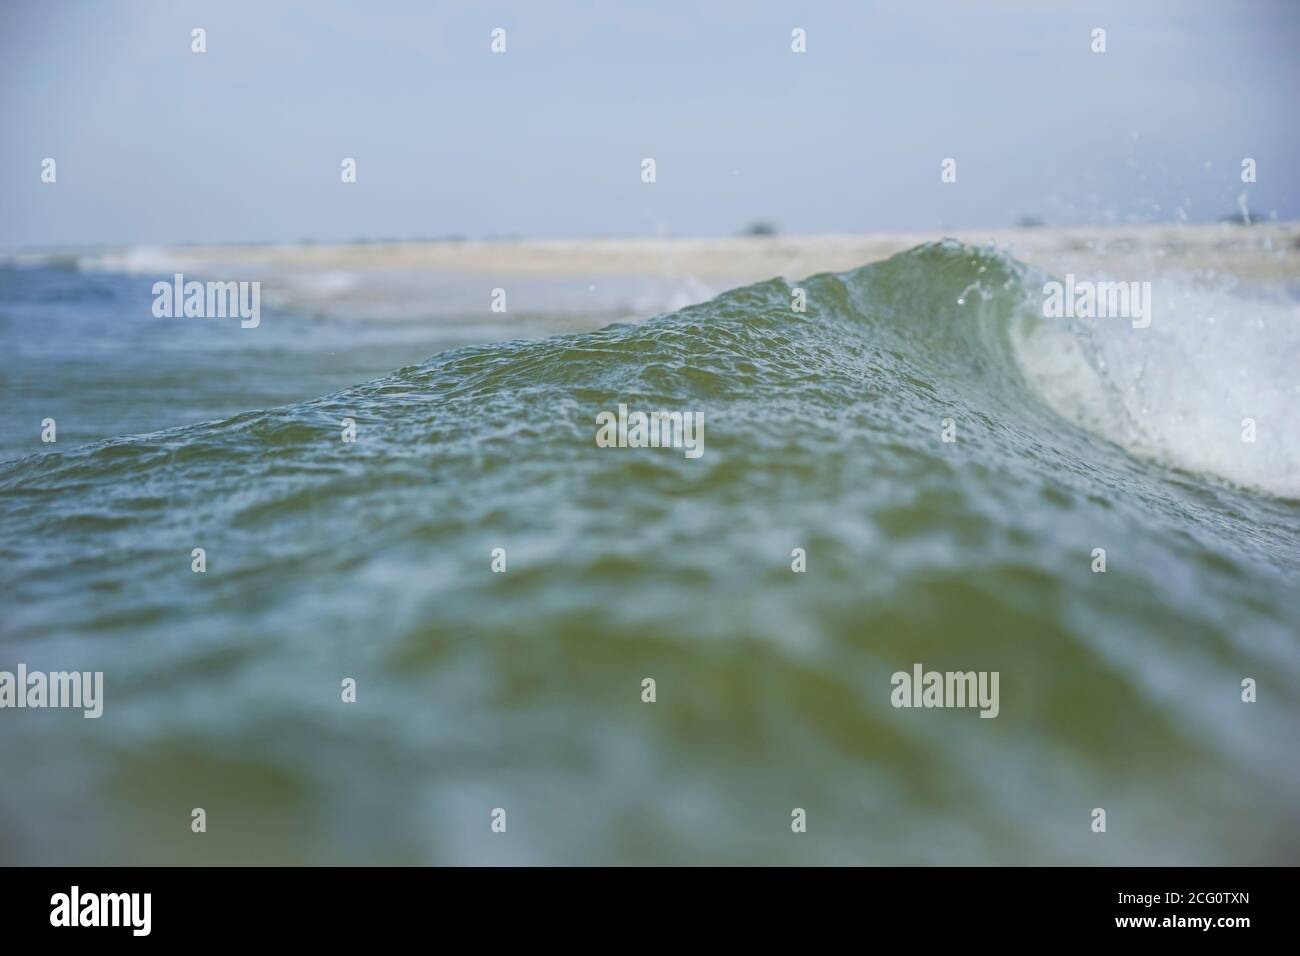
(1181, 392)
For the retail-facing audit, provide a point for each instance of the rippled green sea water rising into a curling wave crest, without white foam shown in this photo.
(523, 690)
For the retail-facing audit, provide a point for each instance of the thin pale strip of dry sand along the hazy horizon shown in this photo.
(1266, 250)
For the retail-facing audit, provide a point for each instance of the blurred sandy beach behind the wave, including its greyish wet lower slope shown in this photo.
(591, 280)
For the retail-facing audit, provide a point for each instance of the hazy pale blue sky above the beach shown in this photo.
(155, 144)
